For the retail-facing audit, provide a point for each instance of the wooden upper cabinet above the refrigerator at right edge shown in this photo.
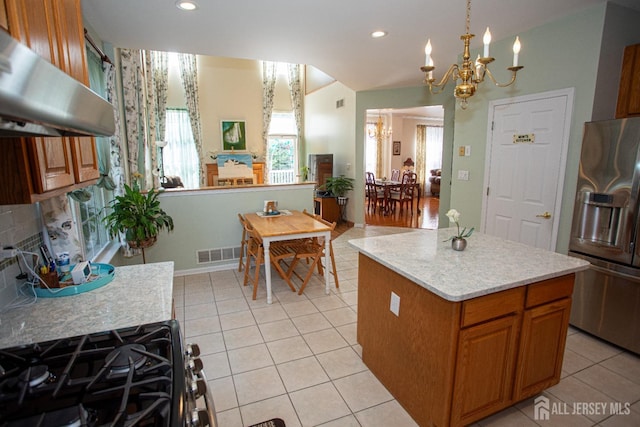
(629, 92)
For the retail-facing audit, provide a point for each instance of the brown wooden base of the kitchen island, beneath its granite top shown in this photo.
(453, 363)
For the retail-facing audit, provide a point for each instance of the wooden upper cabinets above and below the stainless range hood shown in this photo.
(49, 165)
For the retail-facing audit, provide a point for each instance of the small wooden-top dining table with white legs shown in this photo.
(284, 227)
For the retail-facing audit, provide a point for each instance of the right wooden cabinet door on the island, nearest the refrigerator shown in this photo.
(544, 333)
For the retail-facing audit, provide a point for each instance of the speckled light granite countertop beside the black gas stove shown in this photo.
(137, 295)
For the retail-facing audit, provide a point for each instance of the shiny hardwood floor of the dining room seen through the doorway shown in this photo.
(424, 217)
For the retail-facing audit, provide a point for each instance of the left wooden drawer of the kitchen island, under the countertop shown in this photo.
(492, 306)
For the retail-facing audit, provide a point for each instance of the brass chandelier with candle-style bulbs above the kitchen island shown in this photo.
(469, 74)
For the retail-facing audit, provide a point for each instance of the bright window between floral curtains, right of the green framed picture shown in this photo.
(282, 143)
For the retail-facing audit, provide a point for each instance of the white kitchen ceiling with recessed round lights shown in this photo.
(332, 35)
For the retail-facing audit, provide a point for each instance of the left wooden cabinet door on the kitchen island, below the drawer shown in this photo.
(485, 364)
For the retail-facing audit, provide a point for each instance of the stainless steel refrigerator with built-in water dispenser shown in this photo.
(606, 231)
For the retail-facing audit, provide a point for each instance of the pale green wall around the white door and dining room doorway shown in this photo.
(559, 55)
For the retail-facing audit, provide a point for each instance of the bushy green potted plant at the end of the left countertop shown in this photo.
(139, 216)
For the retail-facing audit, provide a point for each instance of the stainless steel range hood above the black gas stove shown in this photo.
(38, 99)
